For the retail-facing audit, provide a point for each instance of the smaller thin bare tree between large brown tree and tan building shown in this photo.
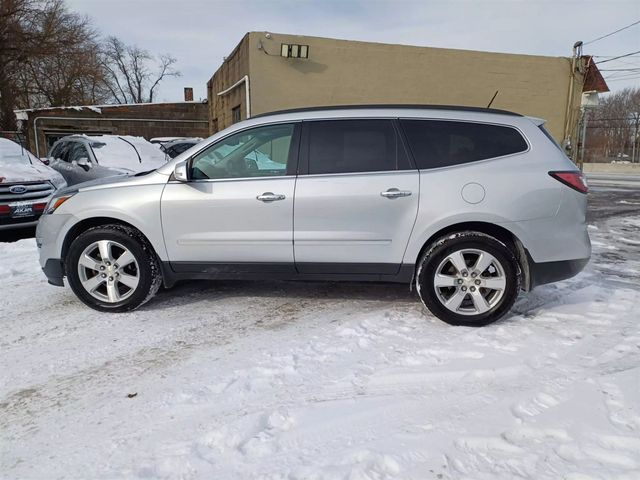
(132, 73)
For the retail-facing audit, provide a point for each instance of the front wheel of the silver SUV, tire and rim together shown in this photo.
(112, 268)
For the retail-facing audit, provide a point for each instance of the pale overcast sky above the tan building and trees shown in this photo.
(200, 33)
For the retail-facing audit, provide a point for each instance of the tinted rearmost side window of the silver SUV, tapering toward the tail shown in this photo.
(438, 143)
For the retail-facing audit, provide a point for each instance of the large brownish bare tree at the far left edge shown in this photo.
(47, 57)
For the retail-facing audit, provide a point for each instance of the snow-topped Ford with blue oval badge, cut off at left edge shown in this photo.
(26, 185)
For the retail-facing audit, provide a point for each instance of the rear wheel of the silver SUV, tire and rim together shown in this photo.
(468, 278)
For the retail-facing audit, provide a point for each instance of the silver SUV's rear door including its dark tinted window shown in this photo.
(356, 198)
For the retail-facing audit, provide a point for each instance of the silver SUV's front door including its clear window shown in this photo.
(236, 211)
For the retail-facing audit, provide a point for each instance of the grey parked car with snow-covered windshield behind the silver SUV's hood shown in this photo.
(80, 158)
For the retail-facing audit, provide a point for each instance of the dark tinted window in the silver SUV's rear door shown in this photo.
(344, 146)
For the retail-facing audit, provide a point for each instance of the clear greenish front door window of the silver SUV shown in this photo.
(258, 152)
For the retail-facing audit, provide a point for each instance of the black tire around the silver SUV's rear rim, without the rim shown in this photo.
(439, 251)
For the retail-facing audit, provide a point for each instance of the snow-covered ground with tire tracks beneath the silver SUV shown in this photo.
(293, 381)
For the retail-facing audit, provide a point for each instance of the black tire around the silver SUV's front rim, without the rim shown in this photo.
(147, 268)
